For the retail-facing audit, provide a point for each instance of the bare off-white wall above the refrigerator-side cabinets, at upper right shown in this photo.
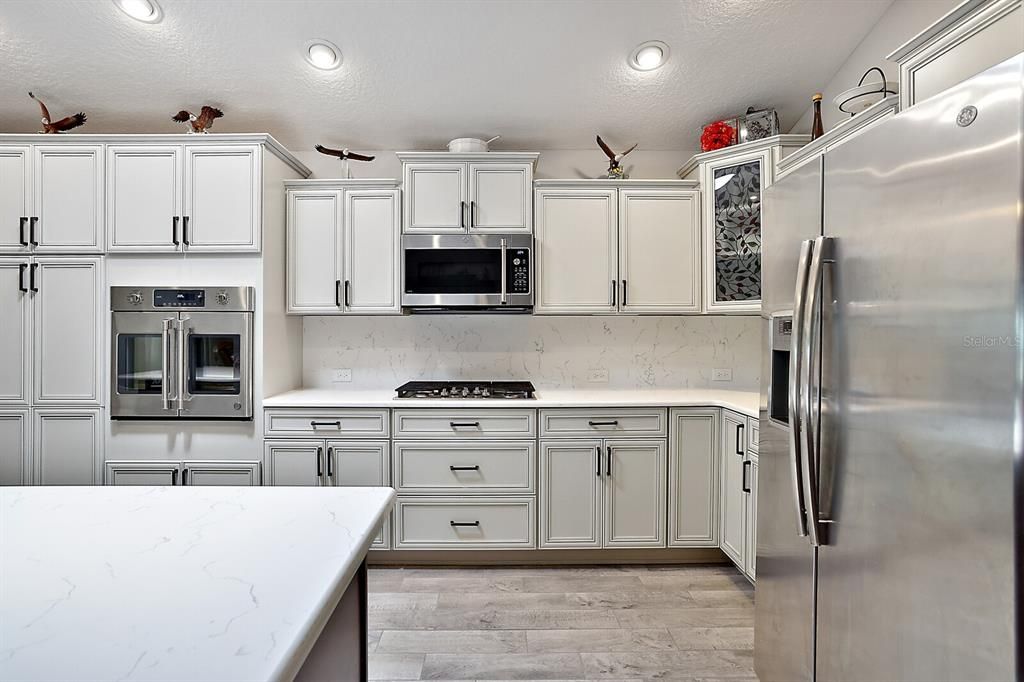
(903, 21)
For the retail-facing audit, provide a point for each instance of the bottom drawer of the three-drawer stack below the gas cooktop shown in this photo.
(449, 523)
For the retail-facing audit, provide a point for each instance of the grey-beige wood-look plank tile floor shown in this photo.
(602, 623)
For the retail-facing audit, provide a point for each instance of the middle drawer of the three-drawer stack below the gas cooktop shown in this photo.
(447, 467)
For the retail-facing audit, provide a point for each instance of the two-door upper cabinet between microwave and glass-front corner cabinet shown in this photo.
(643, 254)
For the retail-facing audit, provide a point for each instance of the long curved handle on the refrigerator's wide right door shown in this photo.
(809, 369)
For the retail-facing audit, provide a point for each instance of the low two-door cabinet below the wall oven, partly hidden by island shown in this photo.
(175, 473)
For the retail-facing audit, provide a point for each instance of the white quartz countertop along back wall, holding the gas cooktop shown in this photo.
(743, 402)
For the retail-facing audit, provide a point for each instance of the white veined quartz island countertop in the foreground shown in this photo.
(154, 583)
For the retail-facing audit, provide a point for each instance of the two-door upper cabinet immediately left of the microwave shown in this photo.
(344, 251)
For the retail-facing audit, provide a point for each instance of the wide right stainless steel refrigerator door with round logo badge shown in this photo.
(920, 387)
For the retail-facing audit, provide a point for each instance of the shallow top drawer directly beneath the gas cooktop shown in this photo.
(465, 424)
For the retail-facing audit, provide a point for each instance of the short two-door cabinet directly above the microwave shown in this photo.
(468, 193)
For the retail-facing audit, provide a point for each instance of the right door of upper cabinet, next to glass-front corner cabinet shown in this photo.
(660, 251)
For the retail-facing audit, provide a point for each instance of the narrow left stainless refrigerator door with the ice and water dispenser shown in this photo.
(785, 612)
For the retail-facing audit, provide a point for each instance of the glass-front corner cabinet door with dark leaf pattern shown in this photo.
(733, 239)
